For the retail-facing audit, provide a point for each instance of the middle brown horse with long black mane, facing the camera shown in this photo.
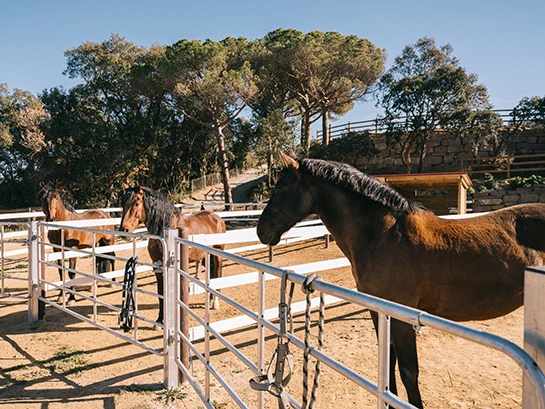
(145, 205)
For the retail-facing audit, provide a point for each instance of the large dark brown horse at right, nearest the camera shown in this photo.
(465, 269)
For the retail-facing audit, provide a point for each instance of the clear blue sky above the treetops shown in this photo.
(503, 42)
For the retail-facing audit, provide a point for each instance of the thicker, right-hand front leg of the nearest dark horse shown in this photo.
(404, 341)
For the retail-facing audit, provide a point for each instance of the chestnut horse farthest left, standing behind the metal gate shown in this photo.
(56, 210)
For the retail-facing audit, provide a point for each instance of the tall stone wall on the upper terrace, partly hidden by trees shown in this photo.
(444, 153)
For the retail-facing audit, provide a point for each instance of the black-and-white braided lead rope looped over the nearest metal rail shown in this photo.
(306, 288)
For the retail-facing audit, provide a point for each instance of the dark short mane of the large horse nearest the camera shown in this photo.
(348, 177)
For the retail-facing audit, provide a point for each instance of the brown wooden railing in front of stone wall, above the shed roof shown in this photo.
(504, 164)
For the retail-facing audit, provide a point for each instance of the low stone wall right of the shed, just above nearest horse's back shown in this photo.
(497, 199)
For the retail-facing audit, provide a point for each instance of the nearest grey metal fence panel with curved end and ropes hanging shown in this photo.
(386, 310)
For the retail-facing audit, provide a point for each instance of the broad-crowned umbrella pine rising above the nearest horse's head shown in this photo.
(316, 74)
